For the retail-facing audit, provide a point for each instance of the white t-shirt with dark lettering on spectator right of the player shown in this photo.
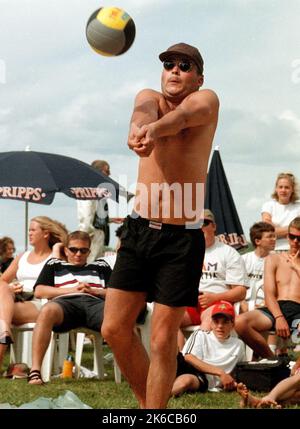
(223, 266)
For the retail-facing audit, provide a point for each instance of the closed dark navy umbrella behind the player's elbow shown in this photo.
(219, 200)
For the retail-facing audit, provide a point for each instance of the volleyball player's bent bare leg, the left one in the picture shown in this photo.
(120, 313)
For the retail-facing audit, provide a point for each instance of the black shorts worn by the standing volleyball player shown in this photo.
(165, 263)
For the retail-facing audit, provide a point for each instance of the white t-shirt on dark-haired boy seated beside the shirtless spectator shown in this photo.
(255, 270)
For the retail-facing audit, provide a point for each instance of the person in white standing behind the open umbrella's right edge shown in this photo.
(94, 218)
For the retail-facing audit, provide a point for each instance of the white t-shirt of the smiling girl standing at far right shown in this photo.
(282, 215)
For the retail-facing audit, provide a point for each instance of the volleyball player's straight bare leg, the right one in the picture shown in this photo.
(162, 371)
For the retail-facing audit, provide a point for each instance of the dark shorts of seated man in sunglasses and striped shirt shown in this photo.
(80, 311)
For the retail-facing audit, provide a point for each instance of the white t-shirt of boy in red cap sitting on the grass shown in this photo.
(222, 354)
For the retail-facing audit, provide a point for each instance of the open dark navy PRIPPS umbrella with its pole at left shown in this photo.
(35, 177)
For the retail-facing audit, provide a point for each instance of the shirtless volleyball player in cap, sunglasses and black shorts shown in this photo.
(162, 246)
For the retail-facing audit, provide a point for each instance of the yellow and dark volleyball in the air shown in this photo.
(110, 31)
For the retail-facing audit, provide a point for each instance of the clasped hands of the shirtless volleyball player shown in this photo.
(141, 139)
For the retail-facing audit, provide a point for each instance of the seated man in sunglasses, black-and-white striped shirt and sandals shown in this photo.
(76, 291)
